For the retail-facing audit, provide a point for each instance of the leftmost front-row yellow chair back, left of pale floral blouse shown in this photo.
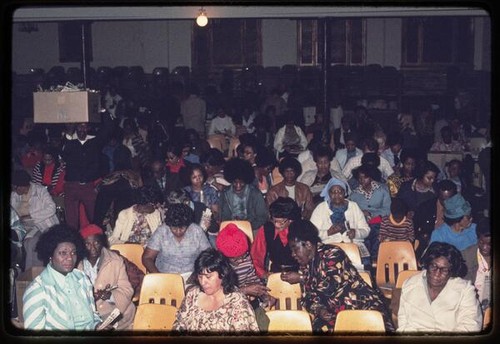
(152, 316)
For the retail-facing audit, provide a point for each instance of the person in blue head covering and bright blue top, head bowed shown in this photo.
(457, 229)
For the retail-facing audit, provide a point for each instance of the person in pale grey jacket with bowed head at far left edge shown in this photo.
(36, 210)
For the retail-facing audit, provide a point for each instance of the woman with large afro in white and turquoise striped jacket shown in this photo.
(61, 297)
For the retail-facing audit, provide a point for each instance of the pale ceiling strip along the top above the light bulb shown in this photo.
(46, 13)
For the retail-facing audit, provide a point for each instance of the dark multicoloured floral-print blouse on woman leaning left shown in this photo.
(331, 282)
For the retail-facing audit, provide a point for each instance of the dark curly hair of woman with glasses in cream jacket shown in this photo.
(450, 253)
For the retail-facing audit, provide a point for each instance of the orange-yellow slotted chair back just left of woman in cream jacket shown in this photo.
(393, 257)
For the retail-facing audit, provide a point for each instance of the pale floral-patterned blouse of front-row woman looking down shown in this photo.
(235, 315)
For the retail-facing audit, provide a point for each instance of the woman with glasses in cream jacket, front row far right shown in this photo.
(438, 299)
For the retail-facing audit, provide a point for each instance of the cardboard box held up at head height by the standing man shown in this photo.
(66, 107)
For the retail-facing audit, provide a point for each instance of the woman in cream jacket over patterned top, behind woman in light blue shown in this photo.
(137, 223)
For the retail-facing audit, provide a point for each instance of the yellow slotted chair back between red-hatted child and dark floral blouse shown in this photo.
(287, 295)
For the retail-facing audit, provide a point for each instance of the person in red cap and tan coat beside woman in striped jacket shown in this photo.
(107, 273)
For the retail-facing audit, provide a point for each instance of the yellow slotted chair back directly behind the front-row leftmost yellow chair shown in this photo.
(162, 288)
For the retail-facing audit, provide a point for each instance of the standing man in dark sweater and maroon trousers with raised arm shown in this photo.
(83, 169)
